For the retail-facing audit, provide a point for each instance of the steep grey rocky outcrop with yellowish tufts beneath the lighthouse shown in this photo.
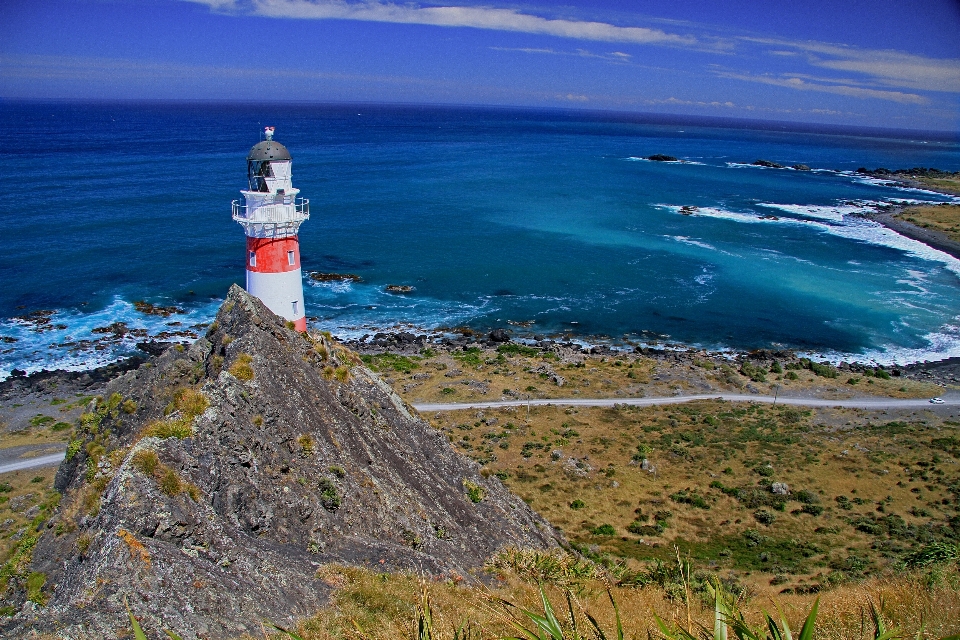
(208, 486)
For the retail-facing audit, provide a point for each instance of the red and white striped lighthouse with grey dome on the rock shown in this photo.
(271, 215)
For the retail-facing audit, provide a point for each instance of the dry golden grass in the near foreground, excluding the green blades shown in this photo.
(384, 606)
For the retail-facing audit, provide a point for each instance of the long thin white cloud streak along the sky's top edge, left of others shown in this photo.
(493, 18)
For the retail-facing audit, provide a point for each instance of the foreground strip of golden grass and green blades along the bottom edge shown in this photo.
(376, 606)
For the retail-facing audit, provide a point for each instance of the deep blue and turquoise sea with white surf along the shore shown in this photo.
(494, 216)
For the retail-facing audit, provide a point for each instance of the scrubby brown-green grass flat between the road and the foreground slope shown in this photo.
(712, 493)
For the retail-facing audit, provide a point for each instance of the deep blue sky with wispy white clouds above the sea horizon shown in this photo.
(876, 63)
